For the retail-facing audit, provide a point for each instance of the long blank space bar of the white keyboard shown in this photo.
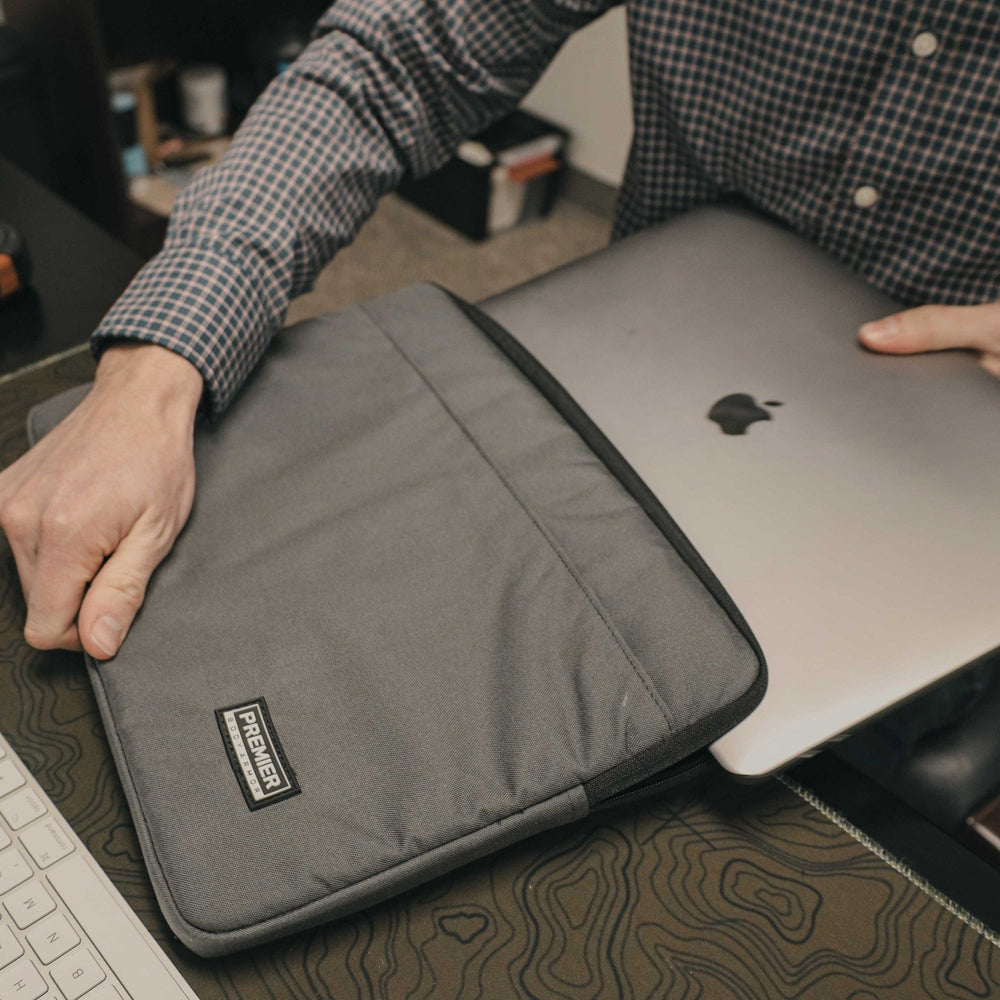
(142, 971)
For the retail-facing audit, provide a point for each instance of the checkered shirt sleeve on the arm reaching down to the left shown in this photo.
(386, 87)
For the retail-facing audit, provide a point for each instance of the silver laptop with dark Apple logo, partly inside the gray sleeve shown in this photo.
(854, 519)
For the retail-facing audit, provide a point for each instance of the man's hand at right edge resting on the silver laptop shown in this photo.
(935, 328)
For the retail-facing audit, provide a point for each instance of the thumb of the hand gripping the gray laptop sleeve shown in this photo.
(116, 594)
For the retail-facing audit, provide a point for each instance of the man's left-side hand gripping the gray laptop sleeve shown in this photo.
(94, 507)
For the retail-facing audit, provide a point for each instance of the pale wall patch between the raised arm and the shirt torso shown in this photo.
(586, 90)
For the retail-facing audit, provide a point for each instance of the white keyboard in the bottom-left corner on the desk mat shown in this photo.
(65, 931)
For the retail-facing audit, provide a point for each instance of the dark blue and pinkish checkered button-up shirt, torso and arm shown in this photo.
(870, 126)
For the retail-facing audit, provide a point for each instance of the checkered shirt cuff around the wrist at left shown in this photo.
(195, 300)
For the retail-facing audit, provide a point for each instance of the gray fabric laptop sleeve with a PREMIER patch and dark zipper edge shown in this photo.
(422, 610)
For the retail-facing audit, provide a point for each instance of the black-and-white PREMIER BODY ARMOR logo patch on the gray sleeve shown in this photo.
(255, 753)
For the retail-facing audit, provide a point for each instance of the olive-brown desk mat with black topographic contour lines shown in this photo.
(721, 891)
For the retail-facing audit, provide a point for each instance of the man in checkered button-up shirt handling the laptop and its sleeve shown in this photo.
(872, 128)
